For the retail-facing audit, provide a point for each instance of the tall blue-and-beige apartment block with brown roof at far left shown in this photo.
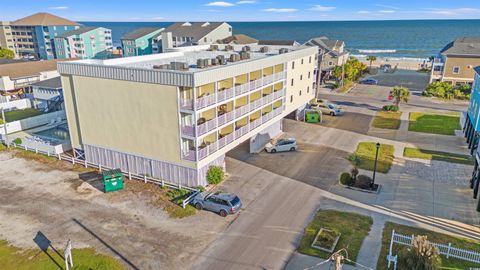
(34, 35)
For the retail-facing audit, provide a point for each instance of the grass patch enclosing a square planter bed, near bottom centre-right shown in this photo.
(353, 227)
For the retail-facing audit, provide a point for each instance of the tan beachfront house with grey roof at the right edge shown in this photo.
(457, 61)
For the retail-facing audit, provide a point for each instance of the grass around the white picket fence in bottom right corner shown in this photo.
(431, 236)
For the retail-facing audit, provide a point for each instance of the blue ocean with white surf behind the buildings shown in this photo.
(415, 39)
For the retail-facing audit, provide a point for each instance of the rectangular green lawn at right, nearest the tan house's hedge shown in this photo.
(444, 124)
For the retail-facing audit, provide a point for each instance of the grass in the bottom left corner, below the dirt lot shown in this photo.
(86, 258)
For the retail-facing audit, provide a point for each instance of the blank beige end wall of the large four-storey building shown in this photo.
(130, 117)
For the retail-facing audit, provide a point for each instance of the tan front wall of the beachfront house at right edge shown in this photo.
(466, 65)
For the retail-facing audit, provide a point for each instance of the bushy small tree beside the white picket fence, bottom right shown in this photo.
(422, 255)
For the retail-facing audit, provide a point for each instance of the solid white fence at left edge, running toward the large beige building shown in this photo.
(34, 121)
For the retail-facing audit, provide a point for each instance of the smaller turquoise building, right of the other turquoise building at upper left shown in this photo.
(140, 41)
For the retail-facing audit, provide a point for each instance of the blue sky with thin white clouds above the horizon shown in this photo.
(243, 10)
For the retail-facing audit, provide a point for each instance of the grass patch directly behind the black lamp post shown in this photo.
(366, 154)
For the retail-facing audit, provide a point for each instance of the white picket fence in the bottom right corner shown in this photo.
(447, 250)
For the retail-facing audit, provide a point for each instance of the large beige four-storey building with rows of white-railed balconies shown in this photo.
(173, 115)
